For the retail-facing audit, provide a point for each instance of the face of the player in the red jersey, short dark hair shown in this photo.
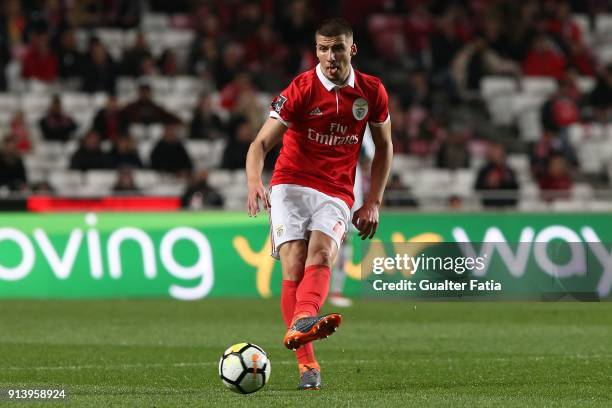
(335, 55)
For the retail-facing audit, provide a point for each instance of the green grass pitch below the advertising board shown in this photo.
(164, 353)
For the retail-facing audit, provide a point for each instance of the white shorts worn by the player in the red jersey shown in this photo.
(296, 211)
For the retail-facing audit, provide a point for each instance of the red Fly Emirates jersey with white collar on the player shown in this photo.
(326, 123)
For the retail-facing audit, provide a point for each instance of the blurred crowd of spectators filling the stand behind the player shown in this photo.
(432, 56)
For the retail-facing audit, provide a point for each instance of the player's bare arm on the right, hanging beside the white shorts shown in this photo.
(365, 219)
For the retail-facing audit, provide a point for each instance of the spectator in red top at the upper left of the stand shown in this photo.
(39, 61)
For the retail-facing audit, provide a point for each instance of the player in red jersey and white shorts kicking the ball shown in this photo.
(321, 118)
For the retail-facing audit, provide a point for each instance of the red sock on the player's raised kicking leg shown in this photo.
(312, 290)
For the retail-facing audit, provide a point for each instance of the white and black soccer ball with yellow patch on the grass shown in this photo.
(244, 368)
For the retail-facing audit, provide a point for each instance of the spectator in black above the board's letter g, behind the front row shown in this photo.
(169, 154)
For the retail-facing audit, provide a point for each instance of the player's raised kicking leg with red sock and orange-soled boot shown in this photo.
(312, 292)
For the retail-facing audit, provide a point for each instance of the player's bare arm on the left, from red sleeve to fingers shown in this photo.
(269, 136)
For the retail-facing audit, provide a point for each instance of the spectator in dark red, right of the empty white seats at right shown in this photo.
(561, 110)
